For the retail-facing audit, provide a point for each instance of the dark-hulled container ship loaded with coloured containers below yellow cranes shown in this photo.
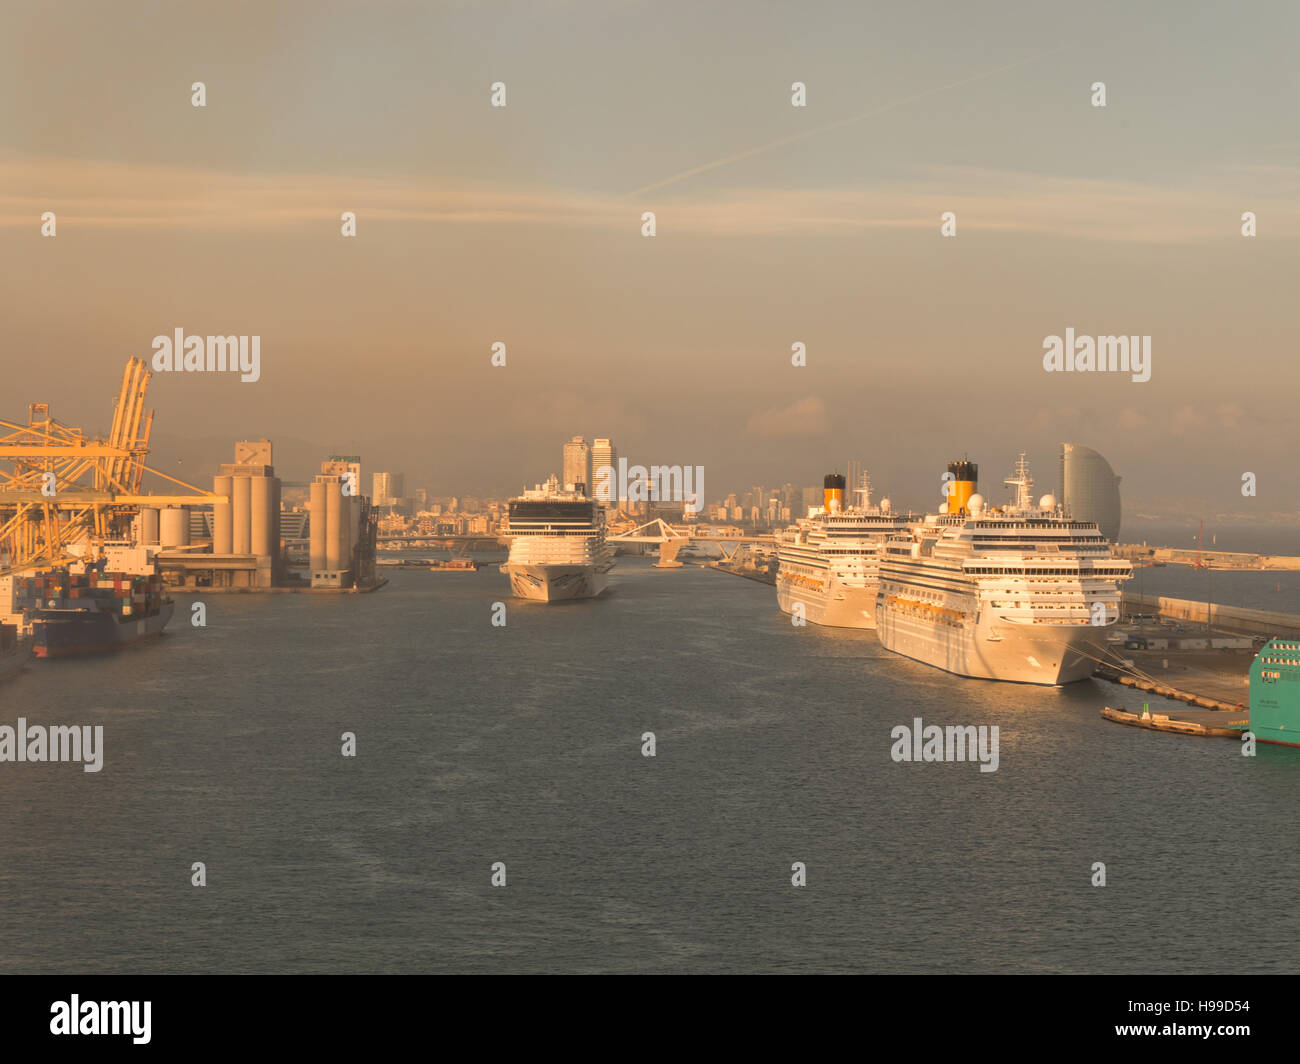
(92, 609)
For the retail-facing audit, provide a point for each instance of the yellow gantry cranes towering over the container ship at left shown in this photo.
(63, 490)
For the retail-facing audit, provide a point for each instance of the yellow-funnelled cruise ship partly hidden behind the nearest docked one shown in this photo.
(829, 563)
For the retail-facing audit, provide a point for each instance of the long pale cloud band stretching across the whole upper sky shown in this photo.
(111, 194)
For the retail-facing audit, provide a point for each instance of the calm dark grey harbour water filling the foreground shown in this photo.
(522, 745)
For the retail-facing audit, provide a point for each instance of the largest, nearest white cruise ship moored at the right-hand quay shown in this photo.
(1020, 592)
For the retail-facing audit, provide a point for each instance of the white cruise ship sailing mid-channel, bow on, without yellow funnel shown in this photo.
(557, 547)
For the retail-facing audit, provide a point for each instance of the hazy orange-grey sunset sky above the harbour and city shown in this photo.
(775, 224)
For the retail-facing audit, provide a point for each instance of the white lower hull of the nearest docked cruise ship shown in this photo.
(1050, 655)
